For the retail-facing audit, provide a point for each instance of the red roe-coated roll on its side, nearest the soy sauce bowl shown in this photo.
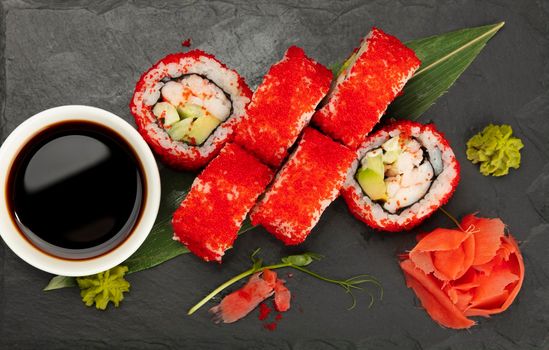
(209, 218)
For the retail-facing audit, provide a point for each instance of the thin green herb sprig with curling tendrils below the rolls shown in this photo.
(297, 262)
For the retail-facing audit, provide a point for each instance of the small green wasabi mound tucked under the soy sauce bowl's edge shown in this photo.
(104, 287)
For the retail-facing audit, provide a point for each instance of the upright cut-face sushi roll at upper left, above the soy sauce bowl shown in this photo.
(186, 107)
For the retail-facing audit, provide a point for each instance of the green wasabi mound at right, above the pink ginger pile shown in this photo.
(495, 149)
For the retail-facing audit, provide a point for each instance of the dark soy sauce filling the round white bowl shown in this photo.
(75, 190)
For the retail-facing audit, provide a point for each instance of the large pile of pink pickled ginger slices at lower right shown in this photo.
(476, 270)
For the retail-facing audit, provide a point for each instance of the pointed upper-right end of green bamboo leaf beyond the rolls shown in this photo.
(444, 57)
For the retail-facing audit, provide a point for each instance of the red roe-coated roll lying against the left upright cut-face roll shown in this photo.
(282, 106)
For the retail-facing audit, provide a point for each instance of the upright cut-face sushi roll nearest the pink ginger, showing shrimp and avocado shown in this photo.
(404, 172)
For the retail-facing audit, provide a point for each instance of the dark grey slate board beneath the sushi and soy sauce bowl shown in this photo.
(78, 52)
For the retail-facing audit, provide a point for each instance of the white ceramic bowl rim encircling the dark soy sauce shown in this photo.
(60, 266)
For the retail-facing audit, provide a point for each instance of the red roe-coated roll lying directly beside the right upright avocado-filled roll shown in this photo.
(307, 183)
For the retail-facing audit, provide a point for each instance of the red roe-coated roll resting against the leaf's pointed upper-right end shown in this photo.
(368, 81)
